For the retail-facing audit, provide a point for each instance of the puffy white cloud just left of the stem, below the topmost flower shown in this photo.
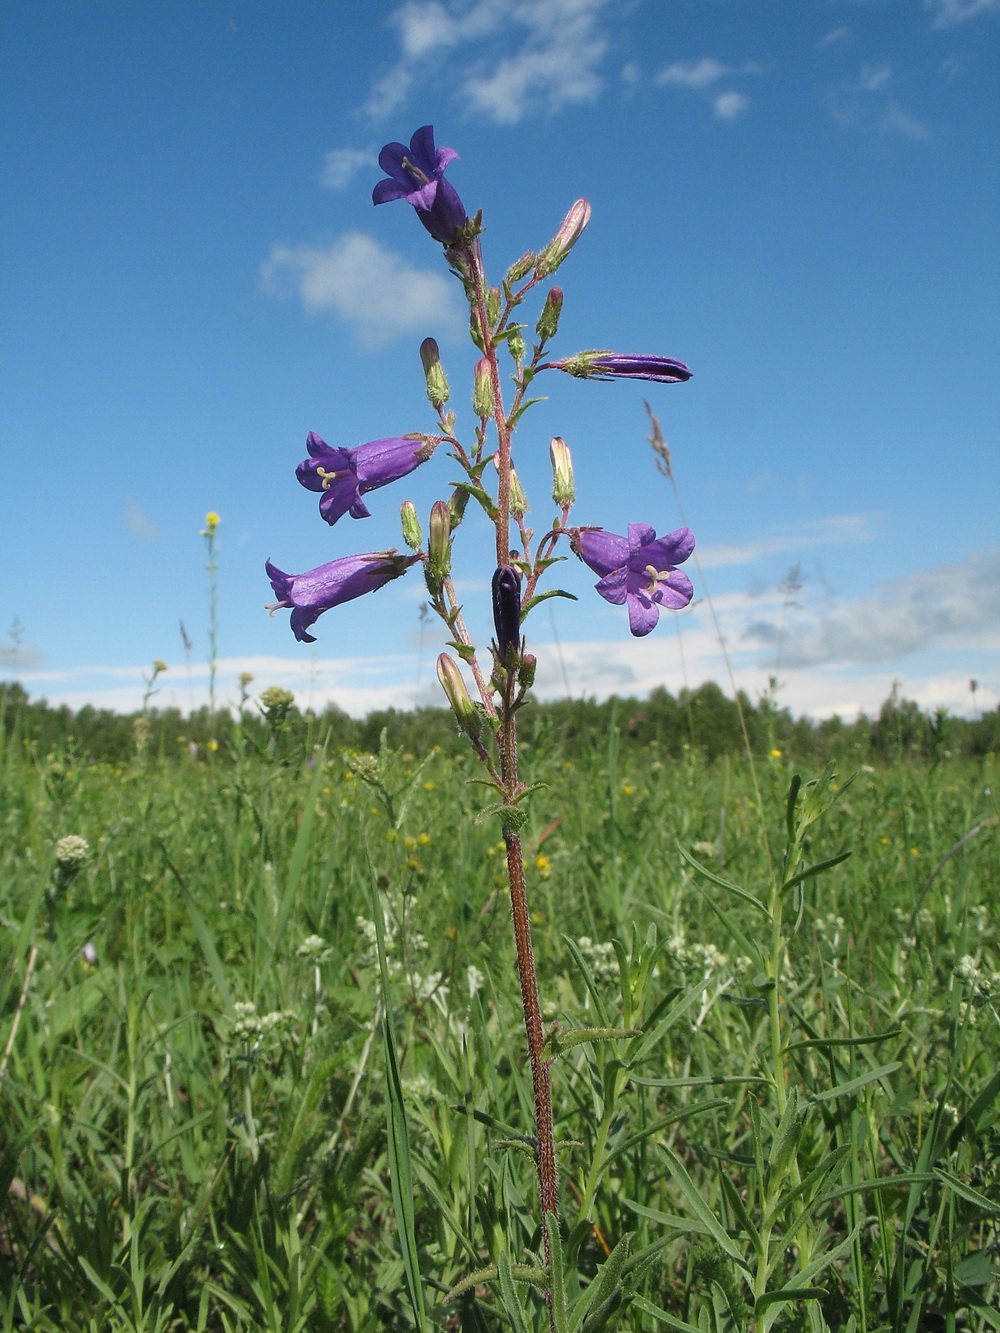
(374, 290)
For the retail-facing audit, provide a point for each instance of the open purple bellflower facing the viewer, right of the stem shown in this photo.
(639, 571)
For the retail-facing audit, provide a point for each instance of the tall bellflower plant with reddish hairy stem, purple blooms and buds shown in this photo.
(486, 688)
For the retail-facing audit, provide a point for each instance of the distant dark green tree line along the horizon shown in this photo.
(702, 720)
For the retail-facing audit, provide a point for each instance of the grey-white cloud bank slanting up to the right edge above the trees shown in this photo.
(902, 618)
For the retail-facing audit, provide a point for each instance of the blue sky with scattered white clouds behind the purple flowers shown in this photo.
(798, 198)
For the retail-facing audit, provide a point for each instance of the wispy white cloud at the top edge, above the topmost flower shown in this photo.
(542, 55)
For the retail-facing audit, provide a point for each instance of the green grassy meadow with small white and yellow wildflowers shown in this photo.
(201, 1102)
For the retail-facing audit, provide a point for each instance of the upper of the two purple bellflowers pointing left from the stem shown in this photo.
(343, 477)
